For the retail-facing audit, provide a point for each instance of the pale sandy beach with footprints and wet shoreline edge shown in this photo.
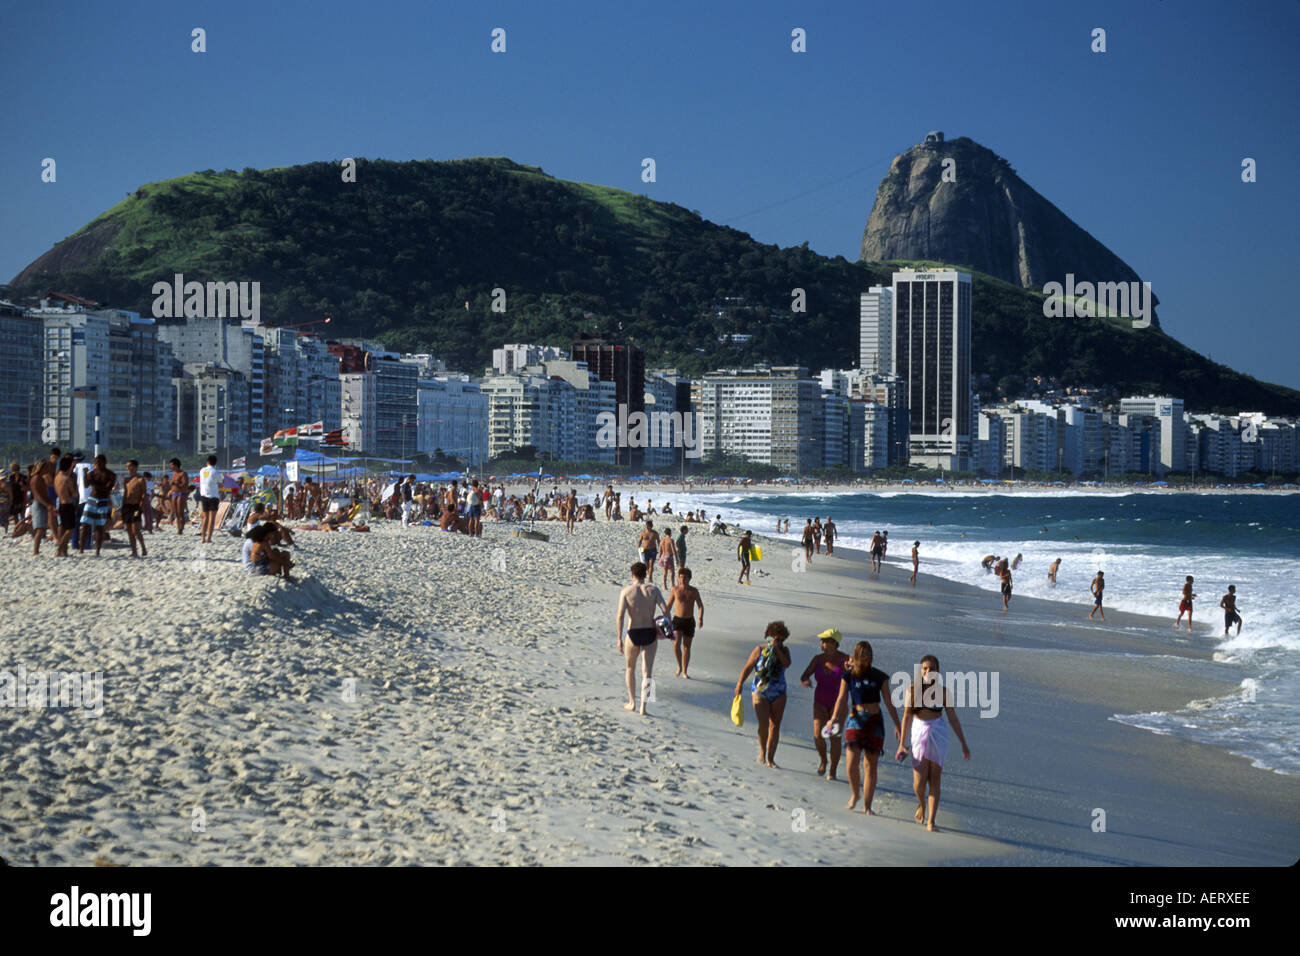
(422, 698)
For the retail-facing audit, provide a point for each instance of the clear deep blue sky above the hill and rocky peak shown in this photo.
(1142, 146)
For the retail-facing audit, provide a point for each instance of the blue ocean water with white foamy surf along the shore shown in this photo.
(1146, 543)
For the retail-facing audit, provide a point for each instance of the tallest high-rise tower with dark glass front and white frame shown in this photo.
(931, 340)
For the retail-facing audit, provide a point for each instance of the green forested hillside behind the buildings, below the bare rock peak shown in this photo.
(398, 254)
